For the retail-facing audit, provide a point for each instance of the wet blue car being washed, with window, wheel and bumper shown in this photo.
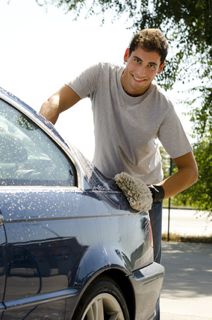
(71, 247)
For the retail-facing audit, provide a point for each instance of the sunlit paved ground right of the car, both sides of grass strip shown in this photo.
(187, 289)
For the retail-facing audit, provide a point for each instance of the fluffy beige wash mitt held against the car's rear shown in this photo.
(135, 190)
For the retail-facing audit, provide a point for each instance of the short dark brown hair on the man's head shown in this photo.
(151, 40)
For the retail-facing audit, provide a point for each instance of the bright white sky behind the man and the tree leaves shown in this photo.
(43, 48)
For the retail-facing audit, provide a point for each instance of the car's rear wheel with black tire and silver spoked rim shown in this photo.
(103, 300)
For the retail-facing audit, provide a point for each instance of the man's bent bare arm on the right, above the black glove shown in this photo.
(185, 177)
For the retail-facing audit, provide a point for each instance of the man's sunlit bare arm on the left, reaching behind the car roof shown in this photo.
(59, 102)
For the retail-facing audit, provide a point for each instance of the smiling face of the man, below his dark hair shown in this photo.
(141, 68)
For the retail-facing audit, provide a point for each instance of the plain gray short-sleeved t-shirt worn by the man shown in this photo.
(126, 128)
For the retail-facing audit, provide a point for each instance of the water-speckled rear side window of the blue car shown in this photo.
(28, 156)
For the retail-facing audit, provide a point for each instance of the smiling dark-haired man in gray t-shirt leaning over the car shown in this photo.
(130, 115)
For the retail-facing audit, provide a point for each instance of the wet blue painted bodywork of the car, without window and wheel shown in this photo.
(56, 240)
